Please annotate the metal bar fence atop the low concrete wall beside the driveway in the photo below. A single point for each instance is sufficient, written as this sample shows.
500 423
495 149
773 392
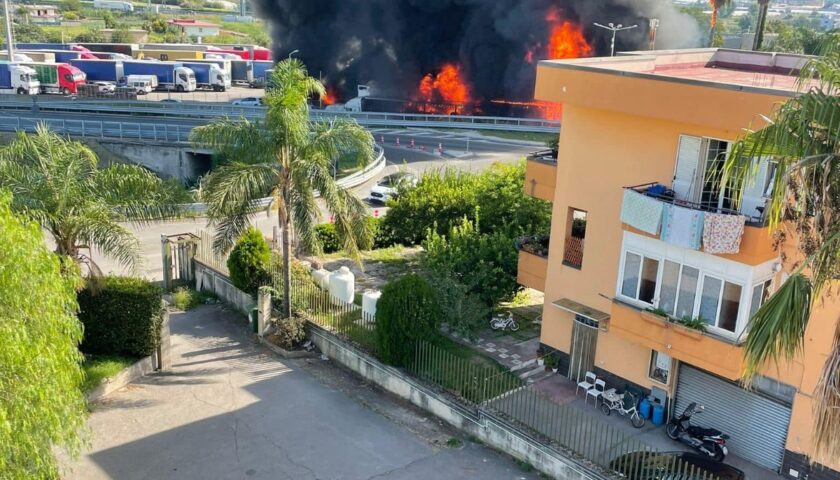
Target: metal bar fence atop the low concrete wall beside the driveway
494 390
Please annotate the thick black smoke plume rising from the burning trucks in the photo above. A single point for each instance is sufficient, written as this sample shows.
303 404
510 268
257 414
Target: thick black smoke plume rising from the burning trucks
391 44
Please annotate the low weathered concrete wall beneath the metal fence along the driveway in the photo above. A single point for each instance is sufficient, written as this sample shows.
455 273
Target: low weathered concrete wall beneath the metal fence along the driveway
484 426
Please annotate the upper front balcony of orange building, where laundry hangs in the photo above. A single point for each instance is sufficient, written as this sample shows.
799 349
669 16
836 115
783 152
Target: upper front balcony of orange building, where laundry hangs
756 243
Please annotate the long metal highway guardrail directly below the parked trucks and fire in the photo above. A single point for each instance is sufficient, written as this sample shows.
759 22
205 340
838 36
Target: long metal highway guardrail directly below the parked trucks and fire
214 110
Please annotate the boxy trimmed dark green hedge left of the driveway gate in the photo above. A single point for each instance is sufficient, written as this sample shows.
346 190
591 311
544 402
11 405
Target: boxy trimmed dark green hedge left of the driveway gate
121 316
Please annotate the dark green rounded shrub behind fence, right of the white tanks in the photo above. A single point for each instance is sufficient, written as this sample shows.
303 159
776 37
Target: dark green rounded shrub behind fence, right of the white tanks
408 311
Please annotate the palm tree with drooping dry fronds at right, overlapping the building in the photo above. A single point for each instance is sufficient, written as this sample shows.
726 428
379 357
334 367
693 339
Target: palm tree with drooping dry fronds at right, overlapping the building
803 136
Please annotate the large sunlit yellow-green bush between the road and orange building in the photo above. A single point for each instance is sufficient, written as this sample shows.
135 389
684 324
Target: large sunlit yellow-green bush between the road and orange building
443 198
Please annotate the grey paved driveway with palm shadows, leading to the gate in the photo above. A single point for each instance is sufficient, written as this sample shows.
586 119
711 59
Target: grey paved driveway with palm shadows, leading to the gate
230 410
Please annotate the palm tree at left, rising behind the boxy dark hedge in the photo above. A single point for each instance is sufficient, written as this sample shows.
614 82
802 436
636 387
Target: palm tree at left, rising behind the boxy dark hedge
57 183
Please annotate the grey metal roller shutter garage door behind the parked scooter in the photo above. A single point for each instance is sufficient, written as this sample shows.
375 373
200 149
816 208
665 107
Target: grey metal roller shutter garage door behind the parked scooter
757 425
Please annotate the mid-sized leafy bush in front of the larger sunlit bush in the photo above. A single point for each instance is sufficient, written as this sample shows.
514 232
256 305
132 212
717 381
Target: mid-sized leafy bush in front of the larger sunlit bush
486 264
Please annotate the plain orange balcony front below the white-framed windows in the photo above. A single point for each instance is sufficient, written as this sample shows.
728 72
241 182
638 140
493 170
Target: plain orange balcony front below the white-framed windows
711 353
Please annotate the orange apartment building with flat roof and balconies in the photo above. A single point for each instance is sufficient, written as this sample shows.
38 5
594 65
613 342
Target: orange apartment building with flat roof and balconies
643 135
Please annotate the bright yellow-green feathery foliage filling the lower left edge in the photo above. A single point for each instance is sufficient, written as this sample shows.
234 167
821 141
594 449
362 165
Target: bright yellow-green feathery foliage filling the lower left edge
41 403
